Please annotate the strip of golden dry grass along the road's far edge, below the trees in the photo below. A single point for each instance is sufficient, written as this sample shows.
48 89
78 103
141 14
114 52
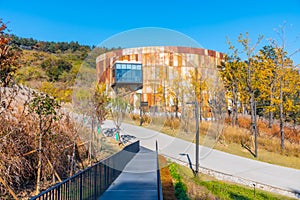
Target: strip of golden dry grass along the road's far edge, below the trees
231 139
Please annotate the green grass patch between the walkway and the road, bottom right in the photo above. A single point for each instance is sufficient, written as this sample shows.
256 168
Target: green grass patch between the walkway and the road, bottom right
187 186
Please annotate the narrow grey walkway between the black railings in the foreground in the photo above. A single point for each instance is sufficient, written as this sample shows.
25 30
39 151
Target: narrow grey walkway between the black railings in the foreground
138 180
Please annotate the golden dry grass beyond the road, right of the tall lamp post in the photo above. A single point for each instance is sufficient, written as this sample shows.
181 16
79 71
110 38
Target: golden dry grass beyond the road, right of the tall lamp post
233 139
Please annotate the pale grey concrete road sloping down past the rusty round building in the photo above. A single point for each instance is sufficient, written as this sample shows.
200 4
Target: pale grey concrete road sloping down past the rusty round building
259 172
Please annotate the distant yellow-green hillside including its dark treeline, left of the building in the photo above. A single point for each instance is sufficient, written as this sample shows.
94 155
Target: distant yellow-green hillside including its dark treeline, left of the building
51 67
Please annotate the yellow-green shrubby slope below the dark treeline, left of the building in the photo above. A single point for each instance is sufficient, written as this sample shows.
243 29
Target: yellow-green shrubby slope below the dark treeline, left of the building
49 72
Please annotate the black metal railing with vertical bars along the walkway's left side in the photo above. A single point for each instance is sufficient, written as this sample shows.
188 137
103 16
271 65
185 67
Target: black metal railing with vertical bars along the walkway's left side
92 182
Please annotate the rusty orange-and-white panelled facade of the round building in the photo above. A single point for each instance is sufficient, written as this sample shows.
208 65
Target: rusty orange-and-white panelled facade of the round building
161 64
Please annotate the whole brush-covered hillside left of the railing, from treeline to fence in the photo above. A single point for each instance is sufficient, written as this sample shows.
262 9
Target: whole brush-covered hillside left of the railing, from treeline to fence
39 137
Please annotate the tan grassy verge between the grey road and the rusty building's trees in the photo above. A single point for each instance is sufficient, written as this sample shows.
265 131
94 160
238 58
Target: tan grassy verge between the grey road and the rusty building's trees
230 139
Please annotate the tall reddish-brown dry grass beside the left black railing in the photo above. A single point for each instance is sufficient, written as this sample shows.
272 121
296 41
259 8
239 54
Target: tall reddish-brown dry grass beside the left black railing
19 132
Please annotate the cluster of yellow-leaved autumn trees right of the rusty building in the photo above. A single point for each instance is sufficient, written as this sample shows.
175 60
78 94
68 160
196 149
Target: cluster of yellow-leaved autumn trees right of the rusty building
266 82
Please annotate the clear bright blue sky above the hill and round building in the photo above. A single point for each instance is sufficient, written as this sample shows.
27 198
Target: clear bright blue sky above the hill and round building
207 22
